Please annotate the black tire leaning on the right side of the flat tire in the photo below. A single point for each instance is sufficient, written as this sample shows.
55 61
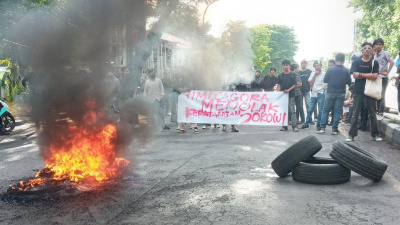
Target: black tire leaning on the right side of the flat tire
358 160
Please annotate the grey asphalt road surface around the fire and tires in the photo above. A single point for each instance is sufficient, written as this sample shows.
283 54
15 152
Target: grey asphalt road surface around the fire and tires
209 178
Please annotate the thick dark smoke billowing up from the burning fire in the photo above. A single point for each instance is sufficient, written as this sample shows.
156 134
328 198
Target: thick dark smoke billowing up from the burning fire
69 51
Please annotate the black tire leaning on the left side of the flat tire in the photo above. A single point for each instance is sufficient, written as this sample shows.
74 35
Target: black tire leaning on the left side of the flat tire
303 149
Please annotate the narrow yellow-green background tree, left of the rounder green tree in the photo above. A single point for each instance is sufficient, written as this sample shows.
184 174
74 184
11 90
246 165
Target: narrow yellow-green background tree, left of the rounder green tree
261 35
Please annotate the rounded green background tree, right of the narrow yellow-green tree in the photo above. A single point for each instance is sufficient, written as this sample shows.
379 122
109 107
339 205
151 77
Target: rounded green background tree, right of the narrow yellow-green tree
283 45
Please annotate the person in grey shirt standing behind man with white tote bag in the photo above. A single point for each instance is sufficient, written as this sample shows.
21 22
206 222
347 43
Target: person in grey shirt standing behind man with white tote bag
386 63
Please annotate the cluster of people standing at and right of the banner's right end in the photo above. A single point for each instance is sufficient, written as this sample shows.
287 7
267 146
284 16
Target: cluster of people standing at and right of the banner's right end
332 93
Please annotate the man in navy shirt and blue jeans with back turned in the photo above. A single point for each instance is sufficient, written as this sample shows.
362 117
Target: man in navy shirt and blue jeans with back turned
336 77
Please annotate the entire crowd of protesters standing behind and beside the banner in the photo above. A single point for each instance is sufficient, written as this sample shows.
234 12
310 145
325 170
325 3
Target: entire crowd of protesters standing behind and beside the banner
316 97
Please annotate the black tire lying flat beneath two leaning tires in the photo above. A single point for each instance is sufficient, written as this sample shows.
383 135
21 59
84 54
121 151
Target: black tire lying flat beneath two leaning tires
318 170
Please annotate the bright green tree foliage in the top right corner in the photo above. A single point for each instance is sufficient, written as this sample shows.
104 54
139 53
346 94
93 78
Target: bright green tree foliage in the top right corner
381 18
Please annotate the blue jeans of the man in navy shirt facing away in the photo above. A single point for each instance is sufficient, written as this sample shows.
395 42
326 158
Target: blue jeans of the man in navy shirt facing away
333 101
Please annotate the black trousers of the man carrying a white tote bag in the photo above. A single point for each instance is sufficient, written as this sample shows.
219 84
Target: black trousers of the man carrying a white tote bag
357 102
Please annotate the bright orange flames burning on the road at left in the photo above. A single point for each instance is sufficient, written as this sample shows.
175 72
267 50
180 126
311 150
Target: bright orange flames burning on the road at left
87 152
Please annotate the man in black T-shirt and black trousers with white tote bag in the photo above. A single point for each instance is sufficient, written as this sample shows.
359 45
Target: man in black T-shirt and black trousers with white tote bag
363 69
